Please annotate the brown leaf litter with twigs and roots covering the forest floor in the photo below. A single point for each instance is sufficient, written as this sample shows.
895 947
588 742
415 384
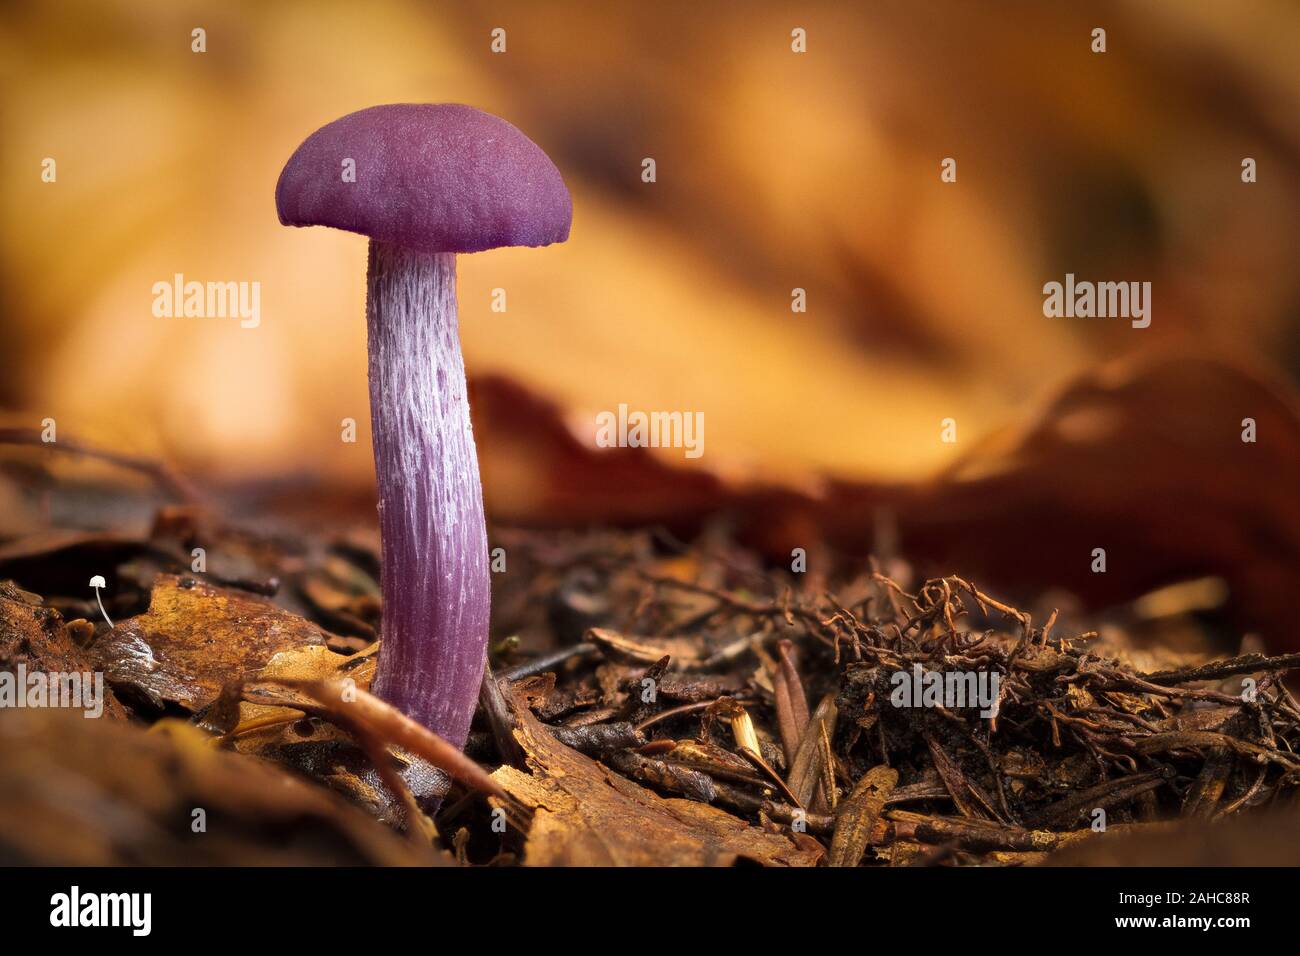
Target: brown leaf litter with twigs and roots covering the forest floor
651 703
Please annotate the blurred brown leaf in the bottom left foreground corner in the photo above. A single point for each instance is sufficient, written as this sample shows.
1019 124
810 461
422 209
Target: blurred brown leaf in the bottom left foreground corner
80 793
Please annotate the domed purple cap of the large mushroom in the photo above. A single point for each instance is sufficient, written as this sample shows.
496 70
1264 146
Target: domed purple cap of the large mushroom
430 178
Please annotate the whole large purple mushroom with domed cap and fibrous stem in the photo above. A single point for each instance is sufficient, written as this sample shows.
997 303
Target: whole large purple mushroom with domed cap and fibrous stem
426 183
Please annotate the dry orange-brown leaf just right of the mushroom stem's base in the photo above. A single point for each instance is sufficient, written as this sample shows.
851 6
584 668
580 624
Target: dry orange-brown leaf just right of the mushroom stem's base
588 816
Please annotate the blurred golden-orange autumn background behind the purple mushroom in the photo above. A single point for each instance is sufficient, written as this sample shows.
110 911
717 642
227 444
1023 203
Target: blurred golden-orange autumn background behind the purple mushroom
774 171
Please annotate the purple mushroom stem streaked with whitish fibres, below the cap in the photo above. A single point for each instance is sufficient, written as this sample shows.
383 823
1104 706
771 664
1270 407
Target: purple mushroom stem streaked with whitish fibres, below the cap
435 564
